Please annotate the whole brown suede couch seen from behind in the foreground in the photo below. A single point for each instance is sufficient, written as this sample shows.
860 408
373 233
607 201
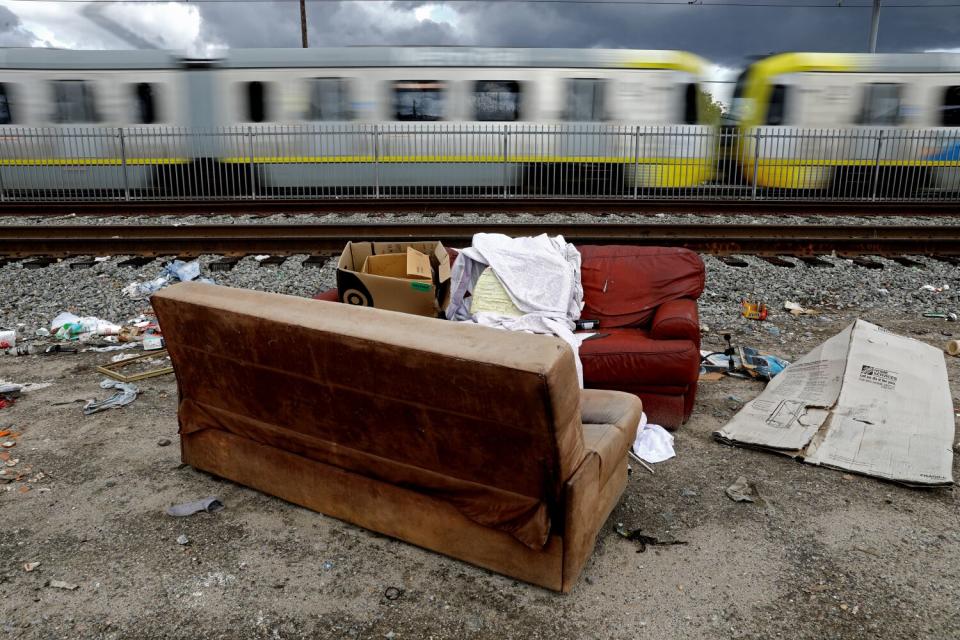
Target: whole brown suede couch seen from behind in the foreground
469 441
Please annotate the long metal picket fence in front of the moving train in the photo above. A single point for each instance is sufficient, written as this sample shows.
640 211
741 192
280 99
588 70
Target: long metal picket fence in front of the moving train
478 160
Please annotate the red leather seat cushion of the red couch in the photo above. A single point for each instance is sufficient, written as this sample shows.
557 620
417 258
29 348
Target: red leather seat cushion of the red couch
631 357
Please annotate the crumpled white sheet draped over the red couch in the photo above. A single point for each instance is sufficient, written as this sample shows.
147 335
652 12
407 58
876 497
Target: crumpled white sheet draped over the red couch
540 274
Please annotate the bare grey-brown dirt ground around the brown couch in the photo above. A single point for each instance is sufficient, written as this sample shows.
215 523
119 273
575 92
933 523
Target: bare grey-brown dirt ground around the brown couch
821 555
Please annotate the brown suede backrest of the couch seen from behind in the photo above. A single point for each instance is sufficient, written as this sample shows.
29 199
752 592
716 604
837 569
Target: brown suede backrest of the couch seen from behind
446 407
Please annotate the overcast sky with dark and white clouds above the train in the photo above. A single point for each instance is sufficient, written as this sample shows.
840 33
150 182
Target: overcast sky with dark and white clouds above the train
727 35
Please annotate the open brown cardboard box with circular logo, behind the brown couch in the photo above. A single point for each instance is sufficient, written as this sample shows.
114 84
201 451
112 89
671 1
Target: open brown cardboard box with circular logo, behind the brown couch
386 275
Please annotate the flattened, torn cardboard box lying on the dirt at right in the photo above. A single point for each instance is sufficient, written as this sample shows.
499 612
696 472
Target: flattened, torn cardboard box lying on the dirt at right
866 400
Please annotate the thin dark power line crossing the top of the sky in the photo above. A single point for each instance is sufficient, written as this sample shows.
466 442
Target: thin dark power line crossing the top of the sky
664 3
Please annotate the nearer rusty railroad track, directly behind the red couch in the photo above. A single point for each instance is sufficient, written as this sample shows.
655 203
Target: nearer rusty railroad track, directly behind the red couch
325 239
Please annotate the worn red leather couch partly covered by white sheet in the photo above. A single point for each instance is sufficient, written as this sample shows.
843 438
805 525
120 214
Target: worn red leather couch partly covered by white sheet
648 343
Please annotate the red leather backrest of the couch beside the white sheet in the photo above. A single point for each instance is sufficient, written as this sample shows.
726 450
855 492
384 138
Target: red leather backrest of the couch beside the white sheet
624 285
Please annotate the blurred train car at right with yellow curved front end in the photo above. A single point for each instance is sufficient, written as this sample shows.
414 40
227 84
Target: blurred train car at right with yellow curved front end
854 124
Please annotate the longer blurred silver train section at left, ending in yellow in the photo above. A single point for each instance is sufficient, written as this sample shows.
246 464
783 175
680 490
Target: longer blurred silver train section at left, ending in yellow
301 121
